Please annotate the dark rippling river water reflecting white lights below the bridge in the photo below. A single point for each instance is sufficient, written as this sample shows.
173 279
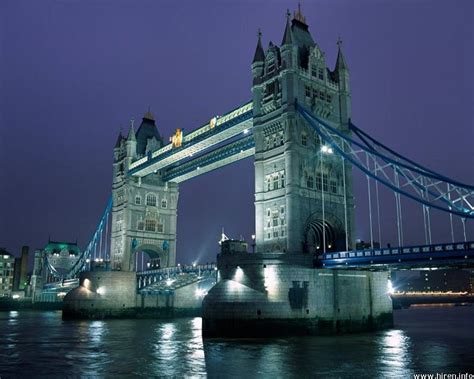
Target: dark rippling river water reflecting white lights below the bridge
424 340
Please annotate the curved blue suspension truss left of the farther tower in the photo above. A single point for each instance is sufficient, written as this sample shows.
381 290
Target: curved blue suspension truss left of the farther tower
86 254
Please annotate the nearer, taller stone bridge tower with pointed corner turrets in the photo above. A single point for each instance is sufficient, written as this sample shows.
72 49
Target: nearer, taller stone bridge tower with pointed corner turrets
303 194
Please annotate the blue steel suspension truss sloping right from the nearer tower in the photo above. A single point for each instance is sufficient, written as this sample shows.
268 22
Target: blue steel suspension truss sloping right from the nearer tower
399 174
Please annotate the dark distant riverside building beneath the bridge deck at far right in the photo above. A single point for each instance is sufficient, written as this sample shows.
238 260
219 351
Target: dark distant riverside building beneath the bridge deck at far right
450 280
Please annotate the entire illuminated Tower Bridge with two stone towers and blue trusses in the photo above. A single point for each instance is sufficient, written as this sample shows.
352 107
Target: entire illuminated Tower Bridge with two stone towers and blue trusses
306 150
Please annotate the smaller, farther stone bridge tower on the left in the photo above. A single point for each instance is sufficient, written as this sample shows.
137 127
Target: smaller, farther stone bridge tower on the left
144 211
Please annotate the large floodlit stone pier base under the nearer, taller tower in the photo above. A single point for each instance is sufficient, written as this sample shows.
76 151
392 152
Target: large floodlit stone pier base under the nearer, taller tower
282 294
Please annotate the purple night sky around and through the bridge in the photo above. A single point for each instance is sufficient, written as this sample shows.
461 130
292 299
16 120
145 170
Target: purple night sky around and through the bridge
72 72
